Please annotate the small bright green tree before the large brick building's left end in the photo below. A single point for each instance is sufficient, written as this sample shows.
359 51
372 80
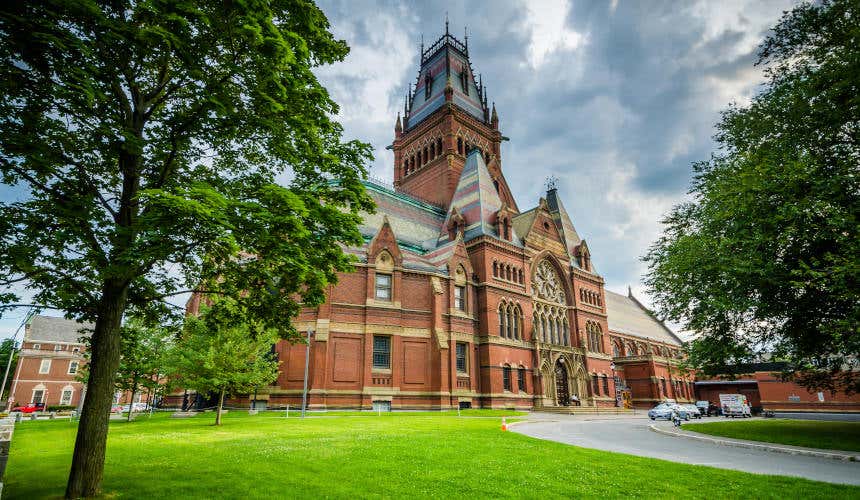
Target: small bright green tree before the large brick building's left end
220 351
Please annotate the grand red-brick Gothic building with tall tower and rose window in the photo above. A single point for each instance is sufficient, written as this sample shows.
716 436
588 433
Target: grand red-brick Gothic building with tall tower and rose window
461 298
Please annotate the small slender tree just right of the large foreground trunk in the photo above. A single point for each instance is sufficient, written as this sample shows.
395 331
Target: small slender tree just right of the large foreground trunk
141 363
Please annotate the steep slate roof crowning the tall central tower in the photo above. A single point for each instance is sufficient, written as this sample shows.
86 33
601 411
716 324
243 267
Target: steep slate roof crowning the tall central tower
446 60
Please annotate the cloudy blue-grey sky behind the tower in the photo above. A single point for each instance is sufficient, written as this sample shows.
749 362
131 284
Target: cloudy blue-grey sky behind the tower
614 98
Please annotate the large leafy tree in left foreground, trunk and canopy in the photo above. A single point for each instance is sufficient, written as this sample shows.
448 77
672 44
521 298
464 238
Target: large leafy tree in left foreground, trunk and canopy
149 136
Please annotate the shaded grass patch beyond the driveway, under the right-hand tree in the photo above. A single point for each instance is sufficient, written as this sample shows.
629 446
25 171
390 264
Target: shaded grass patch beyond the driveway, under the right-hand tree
809 433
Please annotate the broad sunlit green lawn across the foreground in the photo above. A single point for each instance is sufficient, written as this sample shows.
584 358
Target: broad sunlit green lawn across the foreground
403 455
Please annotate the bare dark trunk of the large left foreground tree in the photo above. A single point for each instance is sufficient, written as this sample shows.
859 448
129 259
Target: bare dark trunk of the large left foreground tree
88 460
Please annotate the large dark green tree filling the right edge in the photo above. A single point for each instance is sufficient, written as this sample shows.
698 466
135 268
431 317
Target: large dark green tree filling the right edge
764 259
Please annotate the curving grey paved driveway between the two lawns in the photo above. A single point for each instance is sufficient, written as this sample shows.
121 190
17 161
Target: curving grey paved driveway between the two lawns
631 435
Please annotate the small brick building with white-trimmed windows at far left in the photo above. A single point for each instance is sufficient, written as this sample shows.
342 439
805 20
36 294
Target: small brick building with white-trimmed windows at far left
50 358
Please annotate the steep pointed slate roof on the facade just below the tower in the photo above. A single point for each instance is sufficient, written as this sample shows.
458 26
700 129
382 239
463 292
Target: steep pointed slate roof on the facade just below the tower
476 200
